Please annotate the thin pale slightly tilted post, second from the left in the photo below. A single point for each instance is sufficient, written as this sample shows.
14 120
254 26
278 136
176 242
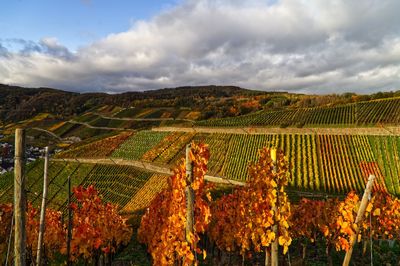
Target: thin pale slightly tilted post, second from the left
43 208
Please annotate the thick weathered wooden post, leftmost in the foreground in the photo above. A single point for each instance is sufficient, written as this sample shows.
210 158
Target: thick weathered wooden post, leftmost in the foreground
19 199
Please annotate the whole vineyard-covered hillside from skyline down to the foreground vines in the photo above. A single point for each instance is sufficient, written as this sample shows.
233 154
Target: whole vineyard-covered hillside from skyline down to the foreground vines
126 144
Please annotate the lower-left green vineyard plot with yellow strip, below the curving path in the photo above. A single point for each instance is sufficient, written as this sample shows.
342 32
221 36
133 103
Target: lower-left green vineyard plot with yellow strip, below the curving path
131 189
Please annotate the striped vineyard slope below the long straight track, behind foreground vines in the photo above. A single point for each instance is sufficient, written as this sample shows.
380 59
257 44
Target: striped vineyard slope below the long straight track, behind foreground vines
317 162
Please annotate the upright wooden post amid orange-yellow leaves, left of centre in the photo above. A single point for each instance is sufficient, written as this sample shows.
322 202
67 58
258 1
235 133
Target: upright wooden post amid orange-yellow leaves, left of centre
189 194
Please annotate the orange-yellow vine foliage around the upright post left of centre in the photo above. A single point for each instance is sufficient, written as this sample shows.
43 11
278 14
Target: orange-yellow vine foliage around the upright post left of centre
162 227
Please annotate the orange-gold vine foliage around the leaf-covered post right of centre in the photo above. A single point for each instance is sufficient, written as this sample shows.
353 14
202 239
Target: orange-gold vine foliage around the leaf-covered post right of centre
243 220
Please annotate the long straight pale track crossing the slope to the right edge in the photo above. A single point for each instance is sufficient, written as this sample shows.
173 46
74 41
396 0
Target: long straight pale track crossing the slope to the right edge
378 131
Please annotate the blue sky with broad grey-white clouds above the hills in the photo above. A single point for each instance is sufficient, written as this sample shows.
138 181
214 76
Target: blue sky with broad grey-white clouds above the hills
314 46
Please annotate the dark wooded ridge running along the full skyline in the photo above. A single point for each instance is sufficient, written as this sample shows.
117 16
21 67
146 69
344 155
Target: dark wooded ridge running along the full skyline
18 103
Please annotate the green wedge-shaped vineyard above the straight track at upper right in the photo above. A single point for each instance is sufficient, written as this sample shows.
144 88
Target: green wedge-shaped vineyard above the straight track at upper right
385 111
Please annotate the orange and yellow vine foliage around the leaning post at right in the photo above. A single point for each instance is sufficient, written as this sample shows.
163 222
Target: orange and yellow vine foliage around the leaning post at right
333 220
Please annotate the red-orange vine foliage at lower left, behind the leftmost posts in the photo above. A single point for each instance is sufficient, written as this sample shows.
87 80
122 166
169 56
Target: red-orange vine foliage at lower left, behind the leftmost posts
97 228
